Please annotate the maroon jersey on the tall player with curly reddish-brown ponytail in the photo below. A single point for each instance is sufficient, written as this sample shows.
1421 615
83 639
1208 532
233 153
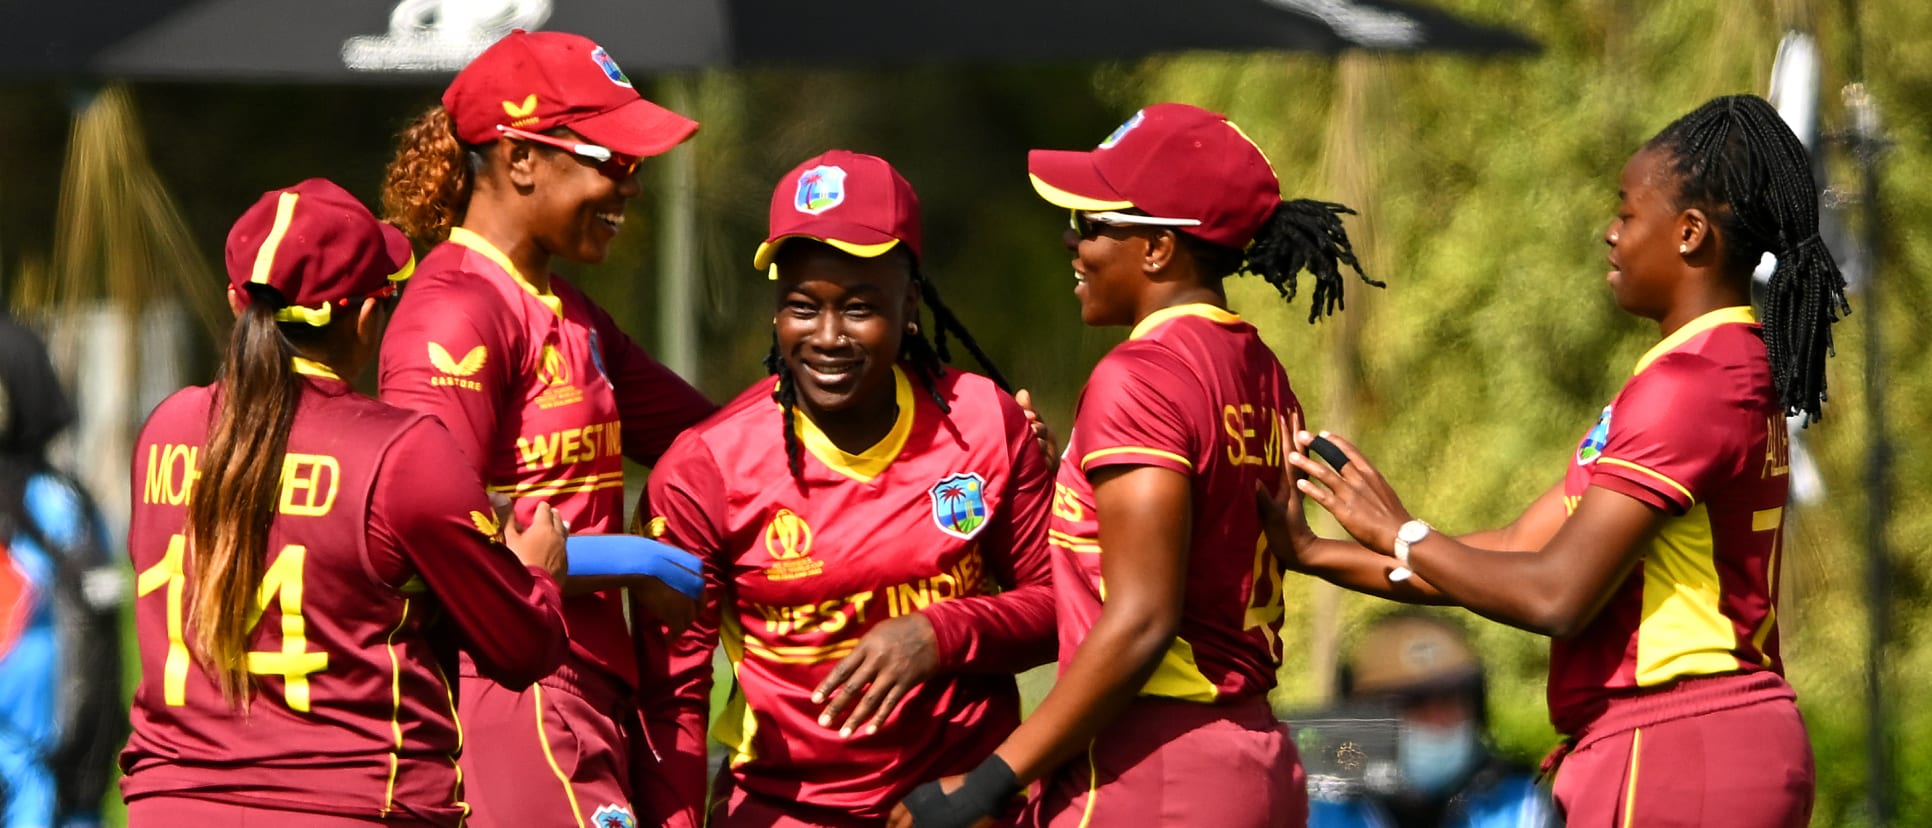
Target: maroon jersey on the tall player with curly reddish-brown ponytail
544 395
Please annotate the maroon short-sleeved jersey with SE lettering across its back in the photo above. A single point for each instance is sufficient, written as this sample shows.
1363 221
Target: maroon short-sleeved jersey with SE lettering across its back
1199 393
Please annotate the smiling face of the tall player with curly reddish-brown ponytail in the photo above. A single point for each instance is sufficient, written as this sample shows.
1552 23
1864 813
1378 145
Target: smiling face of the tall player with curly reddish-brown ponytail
579 209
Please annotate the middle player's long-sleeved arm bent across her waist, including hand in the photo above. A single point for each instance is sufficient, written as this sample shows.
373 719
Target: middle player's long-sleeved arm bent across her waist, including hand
998 634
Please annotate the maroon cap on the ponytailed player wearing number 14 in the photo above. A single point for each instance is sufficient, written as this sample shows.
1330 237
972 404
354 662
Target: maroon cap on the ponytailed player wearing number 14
318 246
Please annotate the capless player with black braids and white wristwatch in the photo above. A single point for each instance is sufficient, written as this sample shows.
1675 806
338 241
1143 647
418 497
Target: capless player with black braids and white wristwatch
1655 563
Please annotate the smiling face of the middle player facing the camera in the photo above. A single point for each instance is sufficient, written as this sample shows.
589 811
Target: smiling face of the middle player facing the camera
841 321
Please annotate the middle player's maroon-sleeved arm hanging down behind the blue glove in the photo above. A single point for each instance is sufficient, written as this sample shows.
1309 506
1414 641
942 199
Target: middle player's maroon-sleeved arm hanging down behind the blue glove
687 501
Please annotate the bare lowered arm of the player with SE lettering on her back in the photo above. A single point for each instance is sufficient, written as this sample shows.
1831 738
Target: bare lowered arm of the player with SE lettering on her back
1145 526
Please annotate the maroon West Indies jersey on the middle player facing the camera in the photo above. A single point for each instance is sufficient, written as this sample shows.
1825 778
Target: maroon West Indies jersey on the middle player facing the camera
946 516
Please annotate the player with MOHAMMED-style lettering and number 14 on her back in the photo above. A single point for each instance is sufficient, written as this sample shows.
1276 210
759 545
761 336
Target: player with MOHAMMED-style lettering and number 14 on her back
310 561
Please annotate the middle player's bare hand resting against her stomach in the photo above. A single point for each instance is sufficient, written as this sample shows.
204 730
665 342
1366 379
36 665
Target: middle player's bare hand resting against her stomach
867 686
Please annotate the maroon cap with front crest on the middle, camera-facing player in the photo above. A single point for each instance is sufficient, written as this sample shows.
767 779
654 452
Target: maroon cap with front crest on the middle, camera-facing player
845 200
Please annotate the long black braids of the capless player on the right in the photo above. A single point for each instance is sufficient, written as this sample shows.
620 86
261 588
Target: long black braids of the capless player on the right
1740 163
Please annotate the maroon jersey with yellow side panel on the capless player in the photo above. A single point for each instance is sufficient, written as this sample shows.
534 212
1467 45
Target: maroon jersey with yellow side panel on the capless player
1697 433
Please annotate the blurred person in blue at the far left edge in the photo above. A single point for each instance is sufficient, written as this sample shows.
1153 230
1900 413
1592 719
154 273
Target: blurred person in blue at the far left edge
61 711
